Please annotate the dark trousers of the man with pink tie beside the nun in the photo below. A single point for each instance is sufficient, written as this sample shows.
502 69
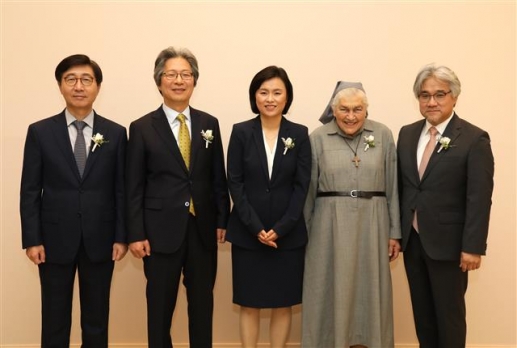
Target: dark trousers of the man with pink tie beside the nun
438 297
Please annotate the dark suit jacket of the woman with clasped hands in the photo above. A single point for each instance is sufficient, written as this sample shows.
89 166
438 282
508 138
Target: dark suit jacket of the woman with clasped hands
261 203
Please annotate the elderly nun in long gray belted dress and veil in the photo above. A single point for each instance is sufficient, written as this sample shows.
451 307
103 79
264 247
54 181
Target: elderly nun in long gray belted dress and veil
352 215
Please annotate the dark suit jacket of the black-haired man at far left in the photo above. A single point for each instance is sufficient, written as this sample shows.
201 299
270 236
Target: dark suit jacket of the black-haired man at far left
58 208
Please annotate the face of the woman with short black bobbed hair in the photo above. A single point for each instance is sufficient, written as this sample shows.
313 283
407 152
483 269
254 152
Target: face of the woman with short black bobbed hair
271 97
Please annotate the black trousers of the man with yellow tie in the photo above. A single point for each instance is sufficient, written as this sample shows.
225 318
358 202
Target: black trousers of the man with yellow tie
163 273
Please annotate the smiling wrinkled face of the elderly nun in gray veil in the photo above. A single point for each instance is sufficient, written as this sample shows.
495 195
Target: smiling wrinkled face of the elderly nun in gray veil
350 114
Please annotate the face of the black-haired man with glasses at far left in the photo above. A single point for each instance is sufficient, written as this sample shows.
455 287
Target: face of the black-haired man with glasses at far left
79 88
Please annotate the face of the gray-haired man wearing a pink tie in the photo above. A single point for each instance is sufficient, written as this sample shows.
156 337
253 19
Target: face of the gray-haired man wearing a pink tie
434 105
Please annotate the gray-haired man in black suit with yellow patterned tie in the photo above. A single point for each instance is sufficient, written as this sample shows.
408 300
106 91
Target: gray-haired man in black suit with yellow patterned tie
177 201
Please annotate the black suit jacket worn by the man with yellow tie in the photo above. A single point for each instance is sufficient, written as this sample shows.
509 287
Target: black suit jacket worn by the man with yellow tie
159 185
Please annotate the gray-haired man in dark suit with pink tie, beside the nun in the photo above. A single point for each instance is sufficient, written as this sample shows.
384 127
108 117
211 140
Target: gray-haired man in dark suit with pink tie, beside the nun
446 170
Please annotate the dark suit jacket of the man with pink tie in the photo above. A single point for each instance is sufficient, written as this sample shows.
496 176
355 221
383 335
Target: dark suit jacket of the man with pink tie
453 199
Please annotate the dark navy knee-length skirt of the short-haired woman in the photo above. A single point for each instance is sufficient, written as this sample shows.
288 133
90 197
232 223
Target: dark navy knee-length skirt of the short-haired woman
267 278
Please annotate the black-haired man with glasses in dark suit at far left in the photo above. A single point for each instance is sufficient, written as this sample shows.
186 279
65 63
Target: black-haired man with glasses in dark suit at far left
72 206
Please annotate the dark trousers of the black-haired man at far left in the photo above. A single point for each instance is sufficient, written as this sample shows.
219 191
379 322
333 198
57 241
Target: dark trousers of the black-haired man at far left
57 287
